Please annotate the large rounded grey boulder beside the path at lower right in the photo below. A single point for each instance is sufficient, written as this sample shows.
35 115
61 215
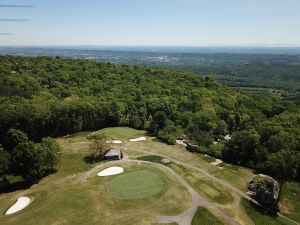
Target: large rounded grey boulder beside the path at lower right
264 189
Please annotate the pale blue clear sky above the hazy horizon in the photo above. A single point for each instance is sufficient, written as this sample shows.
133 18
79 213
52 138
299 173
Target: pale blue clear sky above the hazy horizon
151 23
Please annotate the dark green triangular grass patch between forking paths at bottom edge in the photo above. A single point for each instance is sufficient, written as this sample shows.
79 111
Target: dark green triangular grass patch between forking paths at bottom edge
204 217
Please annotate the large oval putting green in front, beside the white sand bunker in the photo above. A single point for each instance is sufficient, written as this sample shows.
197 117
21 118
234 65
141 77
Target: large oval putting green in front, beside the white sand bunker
136 184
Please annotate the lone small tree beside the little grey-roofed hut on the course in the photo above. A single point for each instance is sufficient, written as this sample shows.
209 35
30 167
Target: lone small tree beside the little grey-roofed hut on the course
99 146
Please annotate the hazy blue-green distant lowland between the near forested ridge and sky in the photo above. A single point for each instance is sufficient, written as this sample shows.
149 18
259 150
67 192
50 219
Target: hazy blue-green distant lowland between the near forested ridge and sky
262 71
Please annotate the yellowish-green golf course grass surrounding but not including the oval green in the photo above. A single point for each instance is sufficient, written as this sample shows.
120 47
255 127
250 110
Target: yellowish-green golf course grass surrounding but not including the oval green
60 199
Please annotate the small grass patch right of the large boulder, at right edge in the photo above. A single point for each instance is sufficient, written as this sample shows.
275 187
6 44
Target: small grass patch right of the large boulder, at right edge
289 202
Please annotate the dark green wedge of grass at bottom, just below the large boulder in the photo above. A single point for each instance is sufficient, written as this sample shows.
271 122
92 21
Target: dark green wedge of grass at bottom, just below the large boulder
260 216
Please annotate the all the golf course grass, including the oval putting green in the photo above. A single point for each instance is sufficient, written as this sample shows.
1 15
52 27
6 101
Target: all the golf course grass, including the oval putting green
139 195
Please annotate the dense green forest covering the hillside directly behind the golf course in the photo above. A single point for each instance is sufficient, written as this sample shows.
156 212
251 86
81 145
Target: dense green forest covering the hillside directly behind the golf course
47 96
